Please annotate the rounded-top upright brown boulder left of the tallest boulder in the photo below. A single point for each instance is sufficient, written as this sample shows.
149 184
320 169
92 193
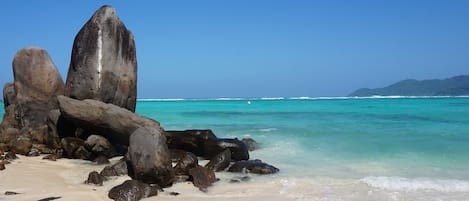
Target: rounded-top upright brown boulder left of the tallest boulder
37 84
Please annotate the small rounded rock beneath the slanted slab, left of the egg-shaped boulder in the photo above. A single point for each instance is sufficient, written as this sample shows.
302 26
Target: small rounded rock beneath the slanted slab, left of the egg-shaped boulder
100 146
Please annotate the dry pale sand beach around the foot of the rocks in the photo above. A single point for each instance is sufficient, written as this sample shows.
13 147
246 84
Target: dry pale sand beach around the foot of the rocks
34 179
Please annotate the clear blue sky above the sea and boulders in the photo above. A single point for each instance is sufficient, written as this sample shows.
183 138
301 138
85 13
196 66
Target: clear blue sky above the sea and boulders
258 48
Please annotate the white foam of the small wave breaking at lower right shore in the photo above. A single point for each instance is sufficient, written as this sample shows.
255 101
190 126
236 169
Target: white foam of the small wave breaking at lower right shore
417 184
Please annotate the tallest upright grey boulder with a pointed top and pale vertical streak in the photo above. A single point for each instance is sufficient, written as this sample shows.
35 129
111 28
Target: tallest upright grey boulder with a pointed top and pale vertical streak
103 64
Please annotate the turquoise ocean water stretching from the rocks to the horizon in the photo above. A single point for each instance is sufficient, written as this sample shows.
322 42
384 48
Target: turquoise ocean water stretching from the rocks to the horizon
415 148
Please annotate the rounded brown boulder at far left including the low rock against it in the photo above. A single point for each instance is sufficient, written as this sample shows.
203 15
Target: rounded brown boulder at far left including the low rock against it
32 95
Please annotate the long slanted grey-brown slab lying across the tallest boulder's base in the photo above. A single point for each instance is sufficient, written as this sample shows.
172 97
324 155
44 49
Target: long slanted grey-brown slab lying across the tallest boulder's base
114 123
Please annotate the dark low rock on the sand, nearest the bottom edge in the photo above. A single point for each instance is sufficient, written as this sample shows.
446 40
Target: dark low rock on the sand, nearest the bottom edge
132 190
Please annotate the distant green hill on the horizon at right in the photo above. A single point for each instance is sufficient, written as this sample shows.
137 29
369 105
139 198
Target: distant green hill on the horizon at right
455 86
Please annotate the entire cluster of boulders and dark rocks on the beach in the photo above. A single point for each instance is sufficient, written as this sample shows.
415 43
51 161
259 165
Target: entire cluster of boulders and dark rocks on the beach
91 117
